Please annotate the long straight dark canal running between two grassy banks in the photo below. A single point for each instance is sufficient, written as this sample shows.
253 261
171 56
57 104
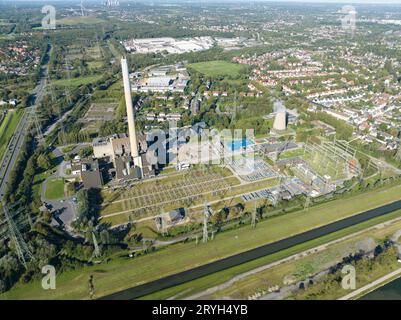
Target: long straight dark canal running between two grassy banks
232 261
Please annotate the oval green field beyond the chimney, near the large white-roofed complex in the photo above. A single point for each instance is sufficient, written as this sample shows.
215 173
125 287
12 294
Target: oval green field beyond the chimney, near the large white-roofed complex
217 68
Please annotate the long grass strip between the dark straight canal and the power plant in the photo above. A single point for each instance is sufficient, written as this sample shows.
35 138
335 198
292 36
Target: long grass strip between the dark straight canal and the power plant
122 272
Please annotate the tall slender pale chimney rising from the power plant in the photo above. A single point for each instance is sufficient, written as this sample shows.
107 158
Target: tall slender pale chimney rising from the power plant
130 109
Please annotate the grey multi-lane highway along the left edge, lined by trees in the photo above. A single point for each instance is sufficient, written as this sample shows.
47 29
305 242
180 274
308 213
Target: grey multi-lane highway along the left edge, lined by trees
15 144
